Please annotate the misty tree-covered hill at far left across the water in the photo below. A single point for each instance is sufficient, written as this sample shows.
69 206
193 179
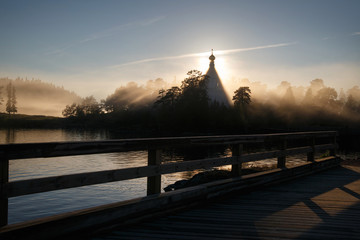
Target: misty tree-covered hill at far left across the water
36 97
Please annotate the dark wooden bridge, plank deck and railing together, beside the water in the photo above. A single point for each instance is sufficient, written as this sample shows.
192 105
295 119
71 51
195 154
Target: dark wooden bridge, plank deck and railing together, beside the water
271 212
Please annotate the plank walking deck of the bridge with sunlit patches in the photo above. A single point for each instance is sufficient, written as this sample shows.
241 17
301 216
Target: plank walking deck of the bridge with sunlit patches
325 205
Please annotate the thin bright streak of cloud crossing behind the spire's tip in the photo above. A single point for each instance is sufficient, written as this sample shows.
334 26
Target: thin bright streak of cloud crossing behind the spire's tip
220 52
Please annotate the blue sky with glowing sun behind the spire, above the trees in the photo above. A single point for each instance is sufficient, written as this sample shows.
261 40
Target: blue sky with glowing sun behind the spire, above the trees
94 47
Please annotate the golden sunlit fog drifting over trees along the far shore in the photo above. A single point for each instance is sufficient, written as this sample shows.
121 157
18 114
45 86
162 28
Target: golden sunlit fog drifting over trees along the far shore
294 105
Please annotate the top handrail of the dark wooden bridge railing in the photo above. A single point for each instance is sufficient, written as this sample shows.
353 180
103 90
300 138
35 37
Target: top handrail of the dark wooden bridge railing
56 149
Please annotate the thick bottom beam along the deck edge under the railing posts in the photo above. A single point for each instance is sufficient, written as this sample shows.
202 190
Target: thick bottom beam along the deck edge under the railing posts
121 213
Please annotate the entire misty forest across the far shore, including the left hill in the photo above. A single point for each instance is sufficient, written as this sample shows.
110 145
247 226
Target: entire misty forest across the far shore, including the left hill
158 108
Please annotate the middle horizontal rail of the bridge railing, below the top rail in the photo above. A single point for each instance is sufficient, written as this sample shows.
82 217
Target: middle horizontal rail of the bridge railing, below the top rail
23 187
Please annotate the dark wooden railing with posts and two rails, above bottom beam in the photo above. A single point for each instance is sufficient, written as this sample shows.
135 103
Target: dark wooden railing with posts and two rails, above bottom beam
155 168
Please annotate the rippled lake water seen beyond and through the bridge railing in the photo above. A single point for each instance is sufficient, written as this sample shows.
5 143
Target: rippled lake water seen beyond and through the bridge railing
33 206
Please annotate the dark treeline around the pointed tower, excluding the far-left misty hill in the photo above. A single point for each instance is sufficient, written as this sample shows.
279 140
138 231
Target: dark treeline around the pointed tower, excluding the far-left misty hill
157 109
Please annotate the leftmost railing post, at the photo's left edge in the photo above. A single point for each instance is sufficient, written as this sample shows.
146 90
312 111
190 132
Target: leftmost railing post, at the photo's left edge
4 179
